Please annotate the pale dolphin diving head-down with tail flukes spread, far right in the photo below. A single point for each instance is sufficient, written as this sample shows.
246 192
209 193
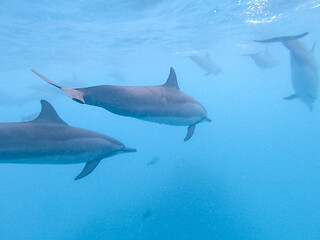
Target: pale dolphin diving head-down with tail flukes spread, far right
304 70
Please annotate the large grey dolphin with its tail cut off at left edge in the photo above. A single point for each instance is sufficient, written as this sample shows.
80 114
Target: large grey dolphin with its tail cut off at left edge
49 140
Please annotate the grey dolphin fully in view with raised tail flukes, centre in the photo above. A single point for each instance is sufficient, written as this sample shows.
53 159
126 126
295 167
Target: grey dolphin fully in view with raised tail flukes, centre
164 104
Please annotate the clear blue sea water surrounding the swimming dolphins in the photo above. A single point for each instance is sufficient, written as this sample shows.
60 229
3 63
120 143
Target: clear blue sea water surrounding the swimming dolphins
253 173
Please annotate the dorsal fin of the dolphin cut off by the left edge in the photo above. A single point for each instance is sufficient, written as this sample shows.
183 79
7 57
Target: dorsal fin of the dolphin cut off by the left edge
48 114
